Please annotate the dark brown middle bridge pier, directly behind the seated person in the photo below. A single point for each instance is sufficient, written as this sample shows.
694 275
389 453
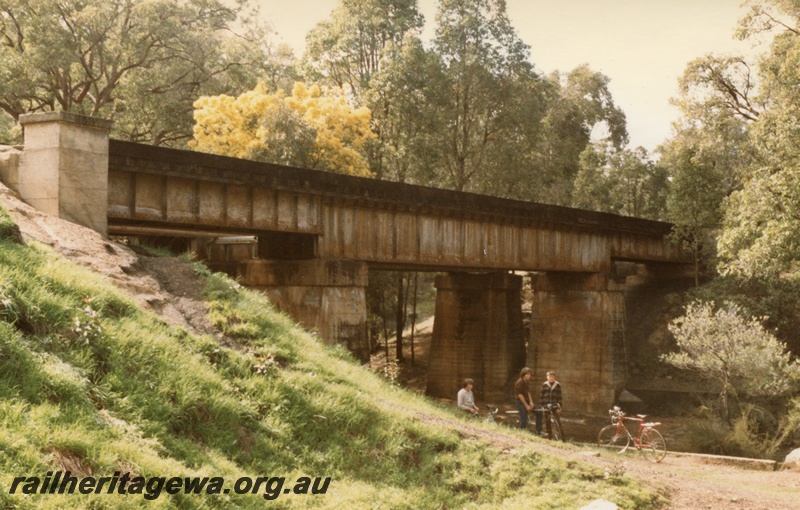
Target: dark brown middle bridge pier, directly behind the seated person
477 333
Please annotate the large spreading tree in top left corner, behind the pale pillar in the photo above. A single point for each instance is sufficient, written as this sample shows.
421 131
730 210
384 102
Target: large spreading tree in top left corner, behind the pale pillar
126 59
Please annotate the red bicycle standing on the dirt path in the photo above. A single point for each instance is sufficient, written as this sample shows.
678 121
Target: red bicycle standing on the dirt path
647 440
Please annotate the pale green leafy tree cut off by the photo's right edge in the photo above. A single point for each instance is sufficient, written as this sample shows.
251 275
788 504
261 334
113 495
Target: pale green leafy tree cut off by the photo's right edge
761 235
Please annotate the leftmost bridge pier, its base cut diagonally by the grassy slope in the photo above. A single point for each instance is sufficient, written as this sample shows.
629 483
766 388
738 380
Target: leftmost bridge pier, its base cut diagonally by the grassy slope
329 296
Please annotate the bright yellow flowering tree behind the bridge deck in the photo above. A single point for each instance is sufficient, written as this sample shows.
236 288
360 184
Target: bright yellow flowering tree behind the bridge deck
313 128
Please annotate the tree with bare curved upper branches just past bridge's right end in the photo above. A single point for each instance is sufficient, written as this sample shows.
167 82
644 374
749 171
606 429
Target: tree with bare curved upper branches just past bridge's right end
711 152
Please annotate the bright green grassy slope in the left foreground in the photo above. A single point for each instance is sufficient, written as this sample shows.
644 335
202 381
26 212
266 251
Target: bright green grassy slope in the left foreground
127 392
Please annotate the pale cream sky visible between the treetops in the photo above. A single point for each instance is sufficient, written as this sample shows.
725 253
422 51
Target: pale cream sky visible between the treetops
643 46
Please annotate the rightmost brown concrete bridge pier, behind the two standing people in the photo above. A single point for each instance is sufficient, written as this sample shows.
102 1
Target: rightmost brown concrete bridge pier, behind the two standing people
578 330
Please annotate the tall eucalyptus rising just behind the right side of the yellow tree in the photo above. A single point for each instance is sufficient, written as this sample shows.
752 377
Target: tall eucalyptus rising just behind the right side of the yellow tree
369 47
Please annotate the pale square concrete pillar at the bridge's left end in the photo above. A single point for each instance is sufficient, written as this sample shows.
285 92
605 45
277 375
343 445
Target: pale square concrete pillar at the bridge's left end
63 170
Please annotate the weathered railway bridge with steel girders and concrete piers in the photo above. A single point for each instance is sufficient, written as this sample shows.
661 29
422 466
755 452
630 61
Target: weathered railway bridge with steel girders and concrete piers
318 234
